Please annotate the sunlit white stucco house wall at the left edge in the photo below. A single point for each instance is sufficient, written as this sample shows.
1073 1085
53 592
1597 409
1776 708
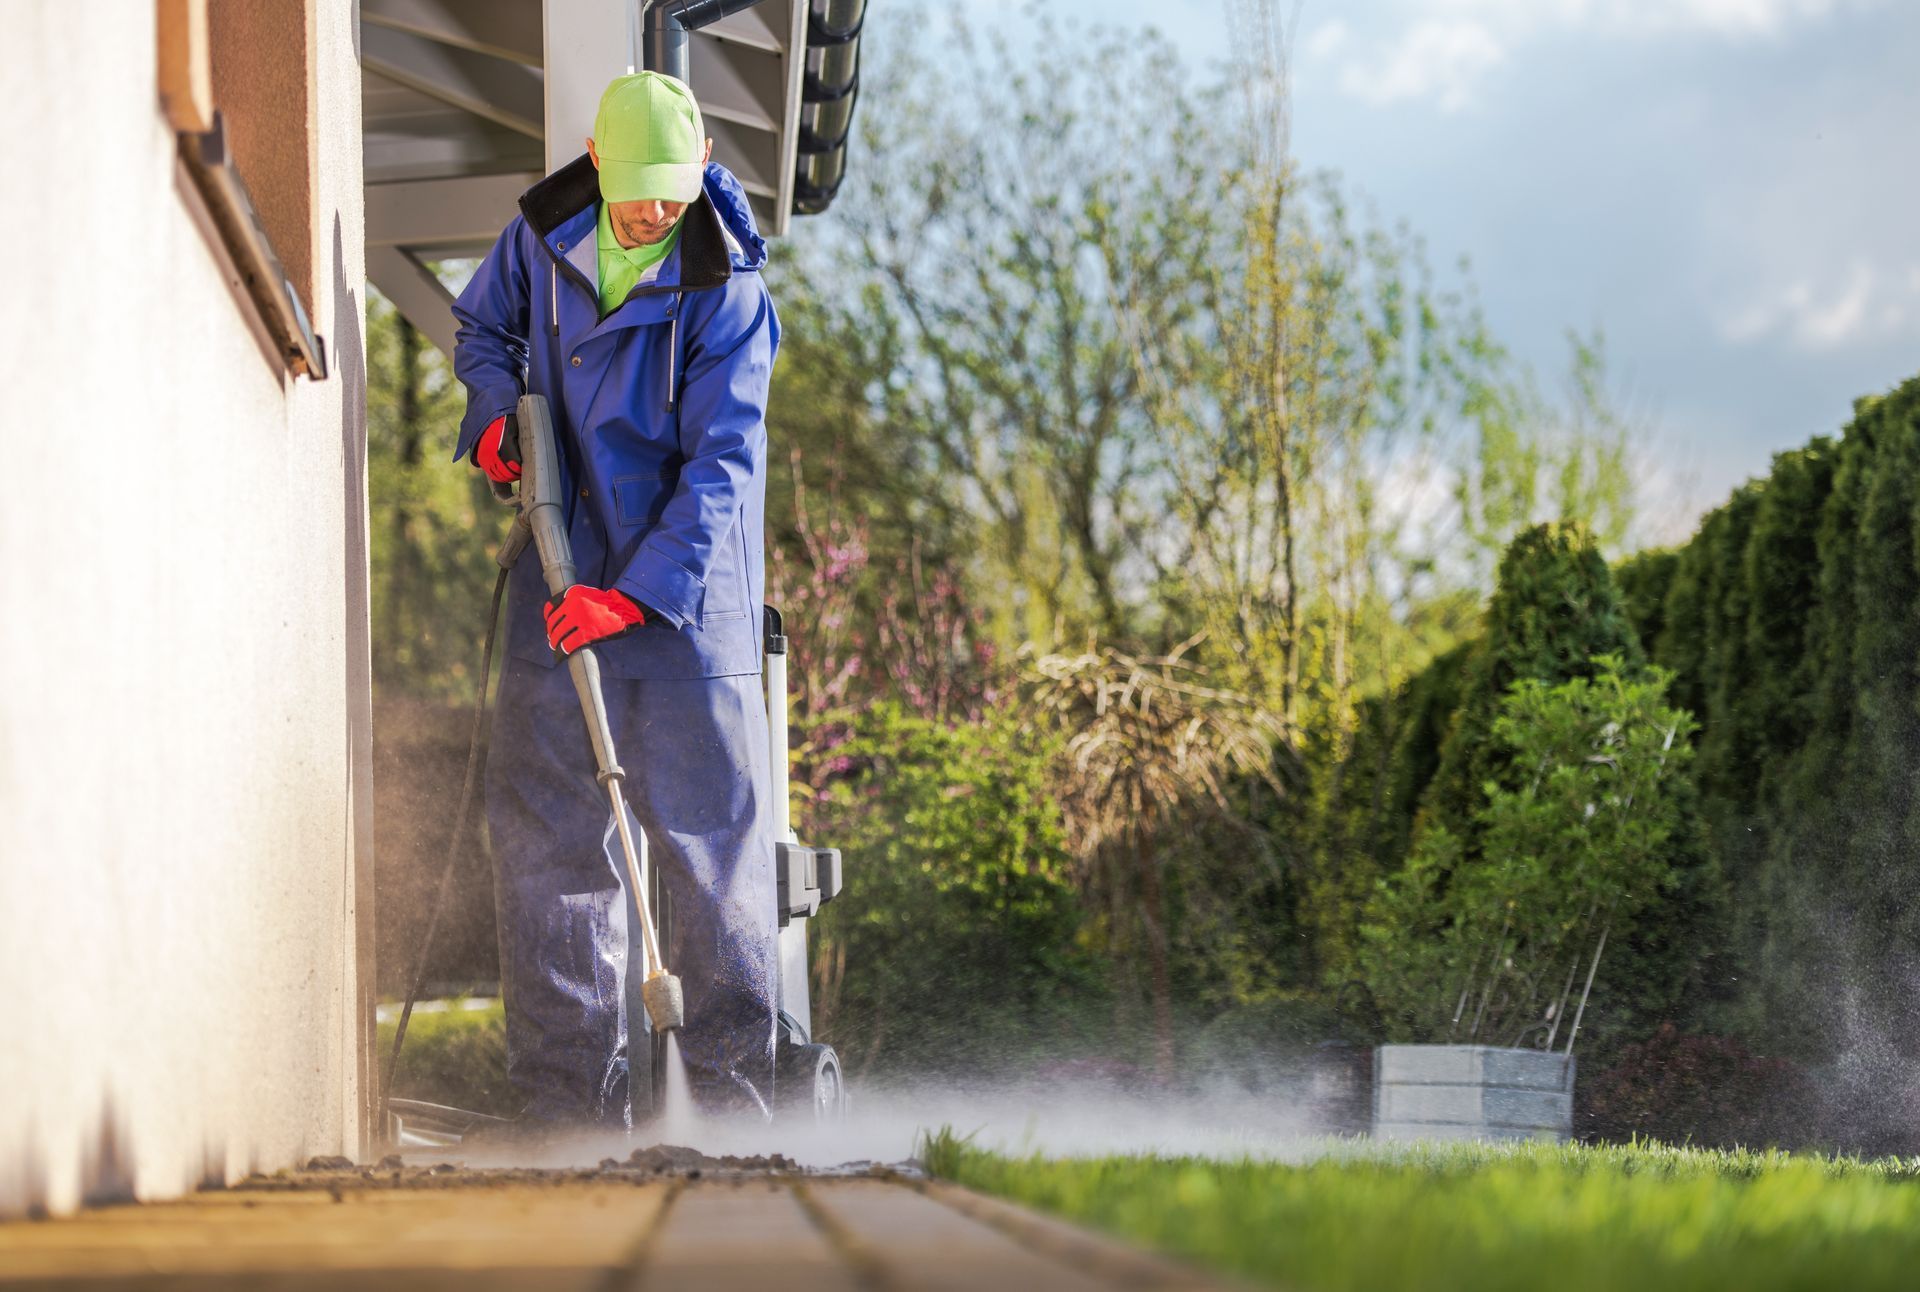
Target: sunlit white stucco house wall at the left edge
183 652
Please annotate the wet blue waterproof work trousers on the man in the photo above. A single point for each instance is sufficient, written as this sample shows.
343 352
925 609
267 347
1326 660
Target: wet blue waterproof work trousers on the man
698 782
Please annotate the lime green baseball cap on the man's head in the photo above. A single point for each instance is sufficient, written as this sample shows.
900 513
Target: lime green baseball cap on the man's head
650 137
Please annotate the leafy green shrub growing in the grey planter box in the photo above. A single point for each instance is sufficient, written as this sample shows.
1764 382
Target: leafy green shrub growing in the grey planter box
1493 949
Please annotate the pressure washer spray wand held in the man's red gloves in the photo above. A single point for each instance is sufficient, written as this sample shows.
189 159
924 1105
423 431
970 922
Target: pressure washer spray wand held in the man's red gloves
546 523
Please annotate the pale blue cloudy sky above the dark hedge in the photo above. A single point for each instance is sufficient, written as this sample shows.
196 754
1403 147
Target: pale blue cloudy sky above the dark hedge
1725 187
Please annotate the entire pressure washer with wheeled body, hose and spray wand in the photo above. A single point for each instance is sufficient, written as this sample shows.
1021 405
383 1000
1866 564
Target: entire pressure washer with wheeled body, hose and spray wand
807 1076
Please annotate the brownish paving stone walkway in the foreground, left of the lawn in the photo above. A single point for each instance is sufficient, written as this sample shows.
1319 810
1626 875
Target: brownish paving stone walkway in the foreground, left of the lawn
479 1232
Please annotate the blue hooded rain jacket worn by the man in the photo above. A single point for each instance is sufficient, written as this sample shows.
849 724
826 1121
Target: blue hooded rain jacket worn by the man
661 416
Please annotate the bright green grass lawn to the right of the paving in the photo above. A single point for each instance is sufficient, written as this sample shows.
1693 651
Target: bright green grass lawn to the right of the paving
1491 1218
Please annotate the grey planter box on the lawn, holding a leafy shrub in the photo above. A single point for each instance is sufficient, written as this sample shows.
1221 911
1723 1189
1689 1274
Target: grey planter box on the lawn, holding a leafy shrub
1472 1093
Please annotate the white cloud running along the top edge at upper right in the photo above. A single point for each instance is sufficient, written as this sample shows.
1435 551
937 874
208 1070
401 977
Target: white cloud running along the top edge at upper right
1441 51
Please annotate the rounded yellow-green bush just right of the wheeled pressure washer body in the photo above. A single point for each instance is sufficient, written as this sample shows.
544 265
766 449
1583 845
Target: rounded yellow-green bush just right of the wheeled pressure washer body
957 945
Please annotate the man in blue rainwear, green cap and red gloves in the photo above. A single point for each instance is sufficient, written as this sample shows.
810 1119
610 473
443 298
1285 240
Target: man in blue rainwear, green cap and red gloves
629 295
